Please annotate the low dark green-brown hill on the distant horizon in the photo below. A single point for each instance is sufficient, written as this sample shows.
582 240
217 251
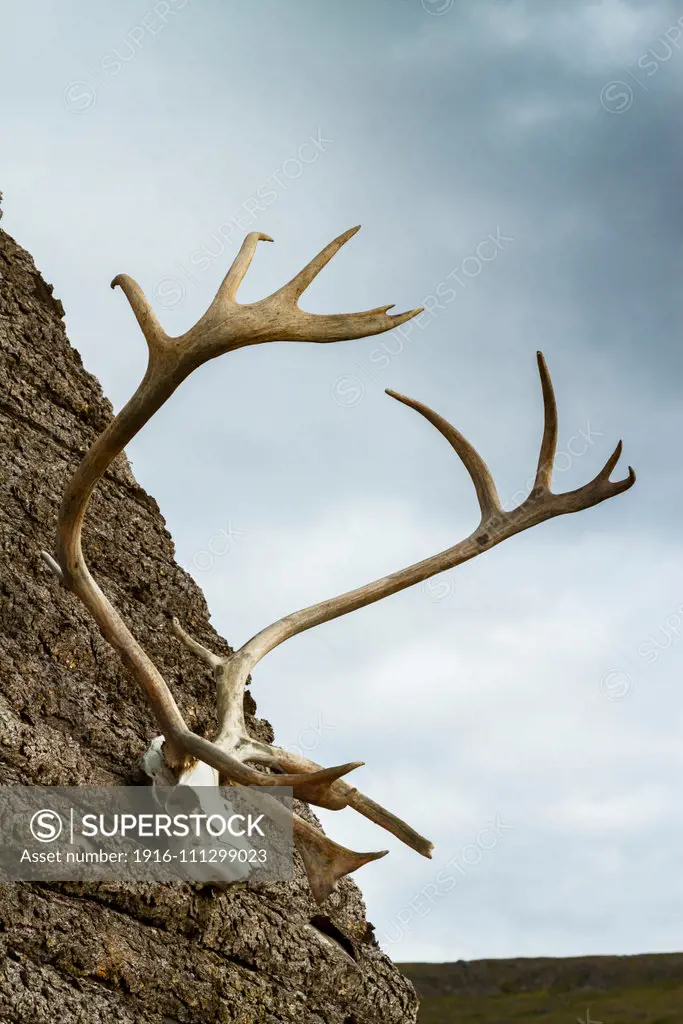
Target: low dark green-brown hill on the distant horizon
646 990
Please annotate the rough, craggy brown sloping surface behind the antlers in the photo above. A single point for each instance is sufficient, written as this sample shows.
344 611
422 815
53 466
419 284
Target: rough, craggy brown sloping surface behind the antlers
70 714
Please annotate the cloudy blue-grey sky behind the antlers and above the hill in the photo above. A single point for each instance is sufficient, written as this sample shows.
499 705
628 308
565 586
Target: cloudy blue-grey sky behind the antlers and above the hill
526 711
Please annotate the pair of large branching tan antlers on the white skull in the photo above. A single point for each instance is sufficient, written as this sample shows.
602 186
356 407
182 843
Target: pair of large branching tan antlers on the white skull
227 326
